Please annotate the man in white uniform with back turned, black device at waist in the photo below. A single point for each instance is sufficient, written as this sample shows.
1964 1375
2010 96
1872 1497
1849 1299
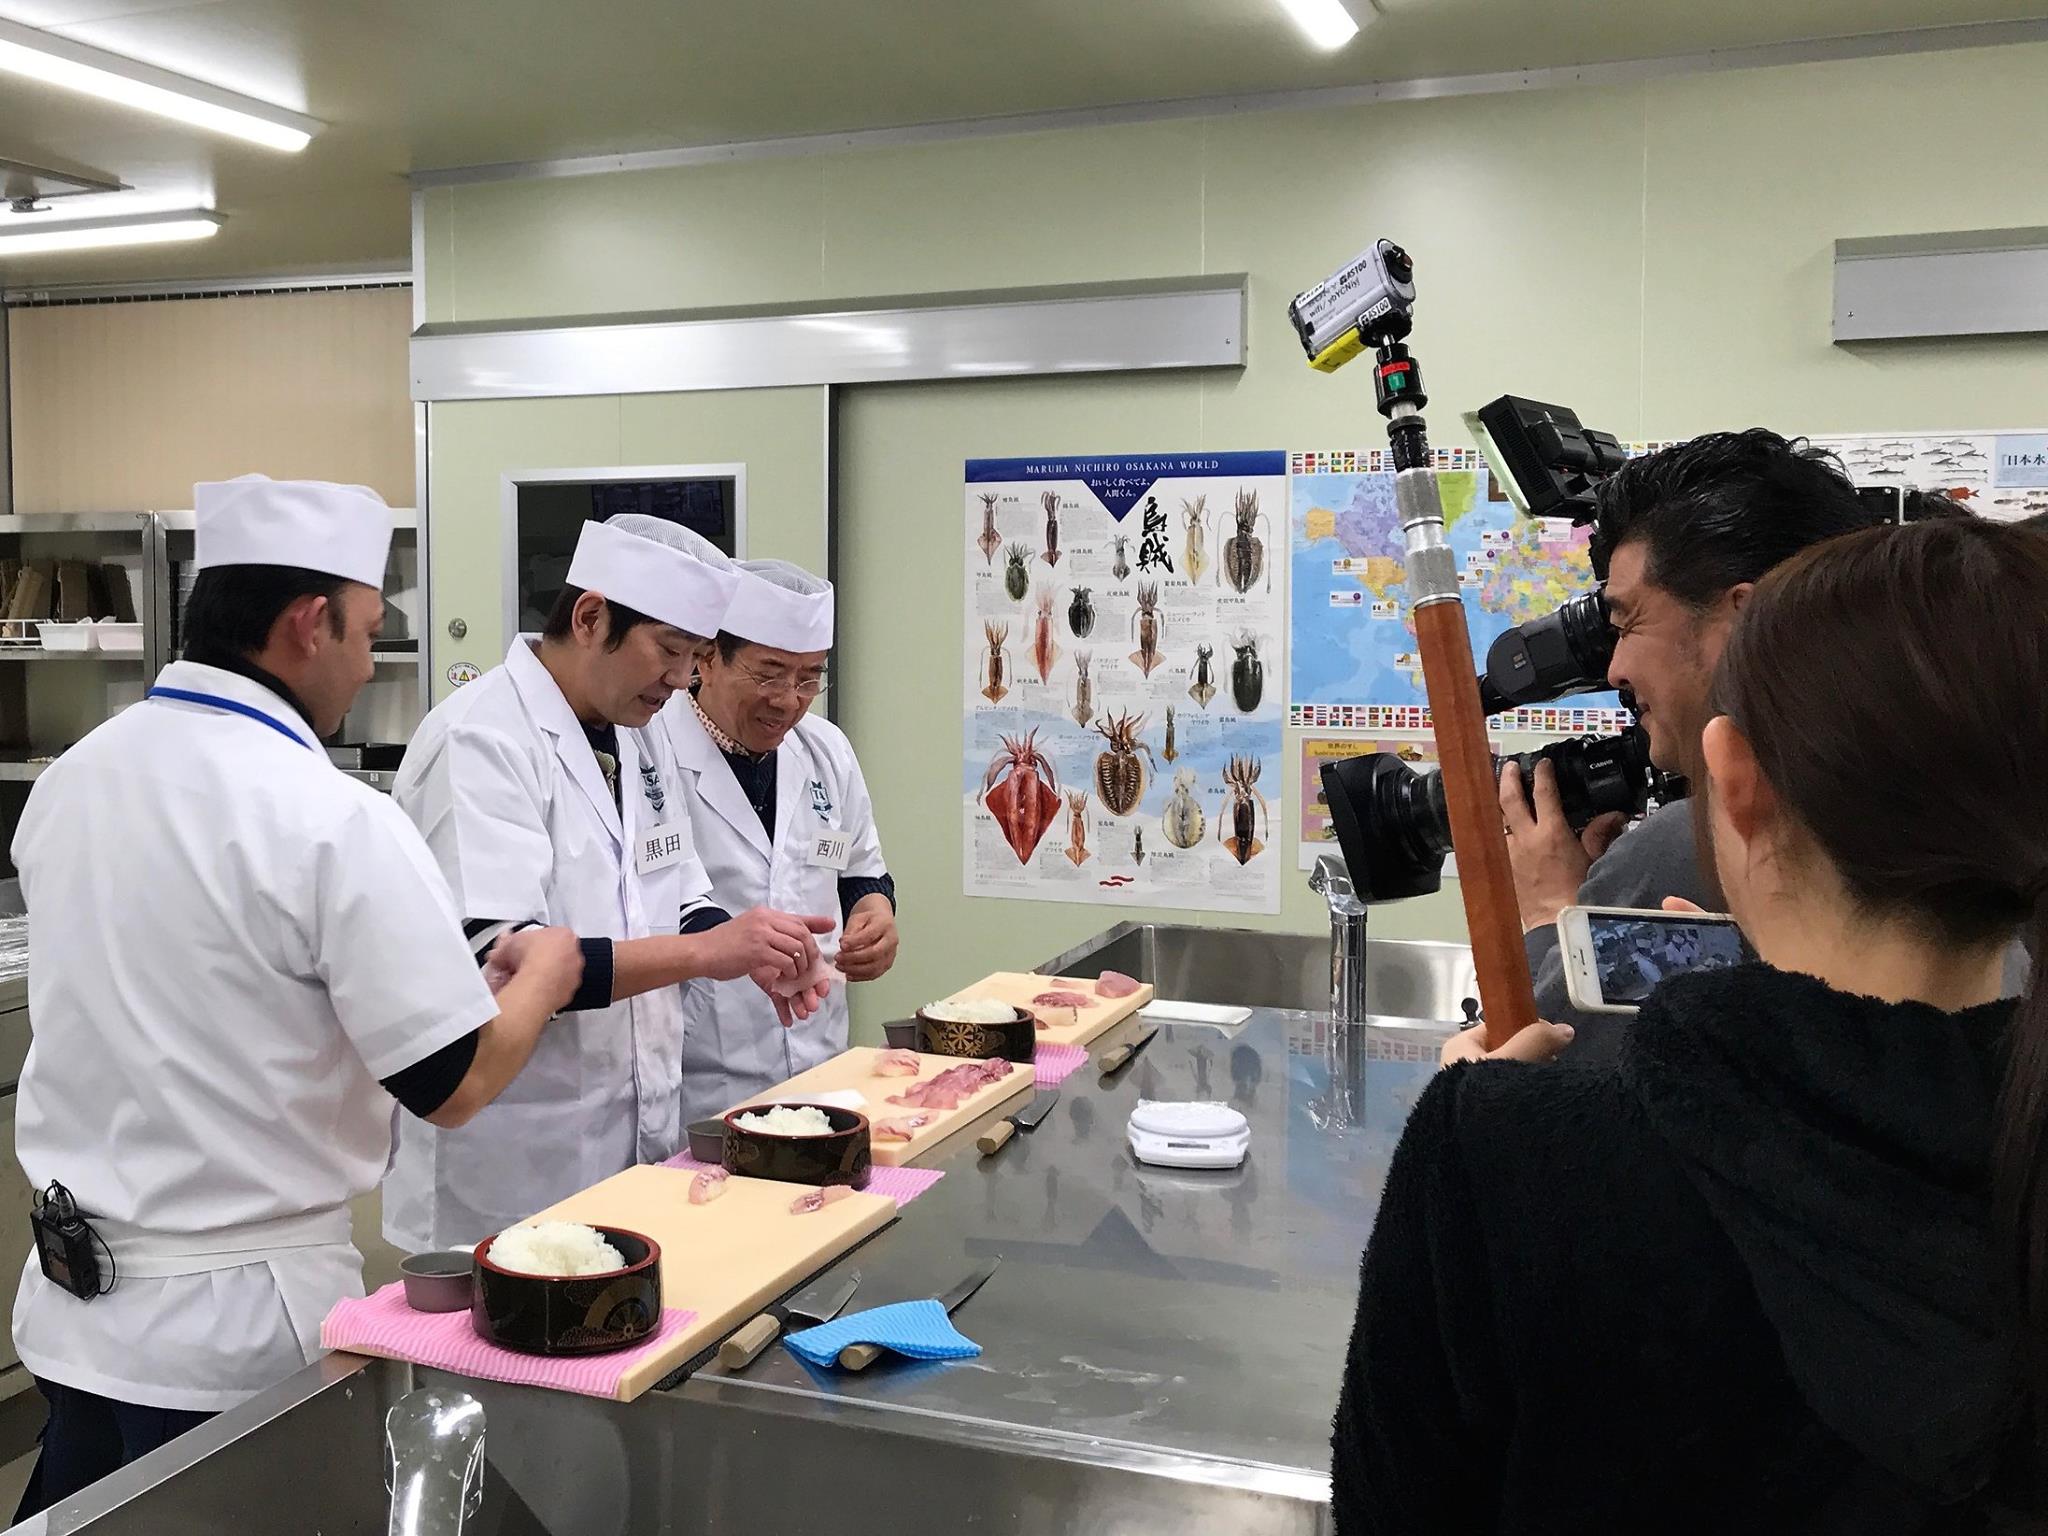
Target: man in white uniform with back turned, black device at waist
237 959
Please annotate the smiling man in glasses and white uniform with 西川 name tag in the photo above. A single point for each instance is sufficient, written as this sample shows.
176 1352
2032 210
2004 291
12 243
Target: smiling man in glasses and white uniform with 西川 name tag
783 818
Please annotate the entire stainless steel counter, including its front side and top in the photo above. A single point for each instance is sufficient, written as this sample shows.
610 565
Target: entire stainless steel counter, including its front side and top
1160 1349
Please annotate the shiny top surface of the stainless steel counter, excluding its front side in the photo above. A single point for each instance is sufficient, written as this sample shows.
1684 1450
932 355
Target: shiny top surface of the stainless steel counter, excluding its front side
1181 1312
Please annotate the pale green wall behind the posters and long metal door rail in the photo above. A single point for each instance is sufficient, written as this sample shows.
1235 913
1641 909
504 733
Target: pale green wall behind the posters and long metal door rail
1656 255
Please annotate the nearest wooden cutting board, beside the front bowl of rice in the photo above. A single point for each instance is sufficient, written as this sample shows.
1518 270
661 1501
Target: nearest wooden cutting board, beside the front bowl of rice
722 1261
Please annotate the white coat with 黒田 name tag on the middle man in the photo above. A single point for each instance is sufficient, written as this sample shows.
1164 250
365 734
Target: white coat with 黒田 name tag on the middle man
503 783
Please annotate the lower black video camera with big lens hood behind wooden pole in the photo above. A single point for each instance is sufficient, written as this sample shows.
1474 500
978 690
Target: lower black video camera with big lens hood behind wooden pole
1394 828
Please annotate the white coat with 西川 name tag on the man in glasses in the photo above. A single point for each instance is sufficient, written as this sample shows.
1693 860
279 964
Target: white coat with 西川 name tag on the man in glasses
732 1041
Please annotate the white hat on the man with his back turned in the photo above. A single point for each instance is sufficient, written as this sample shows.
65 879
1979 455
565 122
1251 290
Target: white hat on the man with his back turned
304 523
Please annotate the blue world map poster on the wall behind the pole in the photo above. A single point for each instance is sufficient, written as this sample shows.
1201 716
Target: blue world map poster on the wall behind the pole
1353 642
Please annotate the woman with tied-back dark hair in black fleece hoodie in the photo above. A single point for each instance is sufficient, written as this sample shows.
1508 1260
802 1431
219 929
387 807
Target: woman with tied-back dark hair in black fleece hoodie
1783 1265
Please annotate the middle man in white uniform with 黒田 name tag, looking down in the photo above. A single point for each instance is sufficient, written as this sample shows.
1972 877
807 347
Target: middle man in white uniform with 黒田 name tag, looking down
548 802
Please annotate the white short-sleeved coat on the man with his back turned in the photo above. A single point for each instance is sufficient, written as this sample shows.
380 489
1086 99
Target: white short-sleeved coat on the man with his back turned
230 943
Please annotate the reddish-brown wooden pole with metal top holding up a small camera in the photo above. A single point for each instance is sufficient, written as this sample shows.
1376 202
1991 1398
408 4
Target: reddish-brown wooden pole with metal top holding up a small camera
1486 878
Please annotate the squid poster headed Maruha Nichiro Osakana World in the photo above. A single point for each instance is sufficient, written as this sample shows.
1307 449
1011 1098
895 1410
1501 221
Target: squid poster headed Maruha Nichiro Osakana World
1125 677
